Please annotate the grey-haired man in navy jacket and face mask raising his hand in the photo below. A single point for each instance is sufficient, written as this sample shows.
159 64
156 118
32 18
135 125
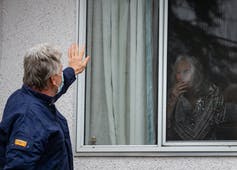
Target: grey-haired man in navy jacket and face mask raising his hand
33 134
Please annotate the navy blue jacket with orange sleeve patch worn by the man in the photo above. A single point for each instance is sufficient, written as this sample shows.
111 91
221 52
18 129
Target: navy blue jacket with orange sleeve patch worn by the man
33 134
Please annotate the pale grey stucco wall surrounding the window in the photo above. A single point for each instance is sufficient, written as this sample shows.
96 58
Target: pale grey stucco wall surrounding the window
24 23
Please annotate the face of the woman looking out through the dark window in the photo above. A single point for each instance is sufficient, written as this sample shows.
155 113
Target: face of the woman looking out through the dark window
184 71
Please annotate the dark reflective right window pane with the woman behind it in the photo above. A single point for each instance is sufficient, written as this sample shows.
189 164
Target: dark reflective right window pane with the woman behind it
201 70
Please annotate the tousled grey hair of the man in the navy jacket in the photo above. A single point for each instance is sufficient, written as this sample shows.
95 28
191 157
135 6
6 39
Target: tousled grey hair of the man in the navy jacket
40 63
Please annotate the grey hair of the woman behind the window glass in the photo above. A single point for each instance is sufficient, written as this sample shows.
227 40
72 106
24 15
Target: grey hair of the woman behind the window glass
198 76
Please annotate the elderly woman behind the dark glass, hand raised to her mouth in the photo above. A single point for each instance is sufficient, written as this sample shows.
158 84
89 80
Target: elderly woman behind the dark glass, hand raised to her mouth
195 105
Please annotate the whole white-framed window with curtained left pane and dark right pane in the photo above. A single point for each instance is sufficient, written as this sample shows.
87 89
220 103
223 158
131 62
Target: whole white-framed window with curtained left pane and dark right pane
161 76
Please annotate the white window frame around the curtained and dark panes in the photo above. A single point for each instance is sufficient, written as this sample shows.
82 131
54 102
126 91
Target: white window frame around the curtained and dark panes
163 148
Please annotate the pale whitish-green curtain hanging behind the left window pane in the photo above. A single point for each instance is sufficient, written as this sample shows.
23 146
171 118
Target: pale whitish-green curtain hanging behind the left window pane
117 96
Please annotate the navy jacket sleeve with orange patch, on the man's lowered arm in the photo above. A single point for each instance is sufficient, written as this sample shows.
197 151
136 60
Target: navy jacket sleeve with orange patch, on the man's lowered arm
25 144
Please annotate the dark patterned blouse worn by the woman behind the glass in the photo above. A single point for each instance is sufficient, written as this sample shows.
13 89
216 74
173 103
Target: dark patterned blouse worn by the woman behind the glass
198 122
